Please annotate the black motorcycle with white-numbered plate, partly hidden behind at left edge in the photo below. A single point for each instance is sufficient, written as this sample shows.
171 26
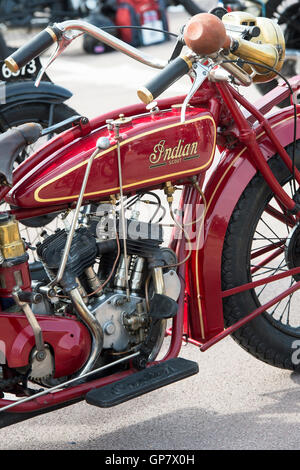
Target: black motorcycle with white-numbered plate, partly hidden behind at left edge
22 102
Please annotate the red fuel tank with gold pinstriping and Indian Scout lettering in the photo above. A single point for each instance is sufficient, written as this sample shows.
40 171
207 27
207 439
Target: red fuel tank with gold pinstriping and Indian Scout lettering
155 147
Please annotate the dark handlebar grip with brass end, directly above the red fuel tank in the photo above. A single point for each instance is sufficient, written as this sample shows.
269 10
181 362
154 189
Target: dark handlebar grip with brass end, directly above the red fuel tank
170 74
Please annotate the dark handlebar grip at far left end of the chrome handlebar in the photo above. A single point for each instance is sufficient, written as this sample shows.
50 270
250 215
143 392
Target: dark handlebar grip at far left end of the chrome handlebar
33 48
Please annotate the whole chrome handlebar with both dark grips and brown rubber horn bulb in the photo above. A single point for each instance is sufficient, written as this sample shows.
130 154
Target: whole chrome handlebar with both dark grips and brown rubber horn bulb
205 34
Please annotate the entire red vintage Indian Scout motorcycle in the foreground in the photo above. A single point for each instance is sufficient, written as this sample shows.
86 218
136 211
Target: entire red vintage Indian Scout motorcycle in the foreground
93 328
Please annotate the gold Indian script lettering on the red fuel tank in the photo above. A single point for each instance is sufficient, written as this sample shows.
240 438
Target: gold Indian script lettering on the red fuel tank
163 155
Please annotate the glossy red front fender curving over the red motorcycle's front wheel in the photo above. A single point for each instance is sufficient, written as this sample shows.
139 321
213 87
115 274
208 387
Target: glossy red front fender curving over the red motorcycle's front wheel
222 192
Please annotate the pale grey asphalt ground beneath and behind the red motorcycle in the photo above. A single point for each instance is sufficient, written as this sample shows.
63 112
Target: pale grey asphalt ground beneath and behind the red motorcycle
235 402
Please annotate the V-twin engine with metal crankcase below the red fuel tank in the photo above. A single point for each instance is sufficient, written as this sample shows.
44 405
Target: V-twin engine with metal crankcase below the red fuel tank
125 321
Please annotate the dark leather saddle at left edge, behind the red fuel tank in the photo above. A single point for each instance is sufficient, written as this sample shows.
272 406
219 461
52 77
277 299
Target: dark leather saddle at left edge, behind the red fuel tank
12 143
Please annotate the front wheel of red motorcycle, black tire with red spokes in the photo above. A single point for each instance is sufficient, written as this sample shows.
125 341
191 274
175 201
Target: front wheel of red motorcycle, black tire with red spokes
269 337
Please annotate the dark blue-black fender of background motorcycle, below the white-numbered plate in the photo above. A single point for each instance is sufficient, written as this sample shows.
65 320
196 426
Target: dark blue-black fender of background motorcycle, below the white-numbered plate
20 92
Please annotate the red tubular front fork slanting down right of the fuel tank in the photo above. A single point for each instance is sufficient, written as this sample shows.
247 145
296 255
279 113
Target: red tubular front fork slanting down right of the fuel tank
248 136
